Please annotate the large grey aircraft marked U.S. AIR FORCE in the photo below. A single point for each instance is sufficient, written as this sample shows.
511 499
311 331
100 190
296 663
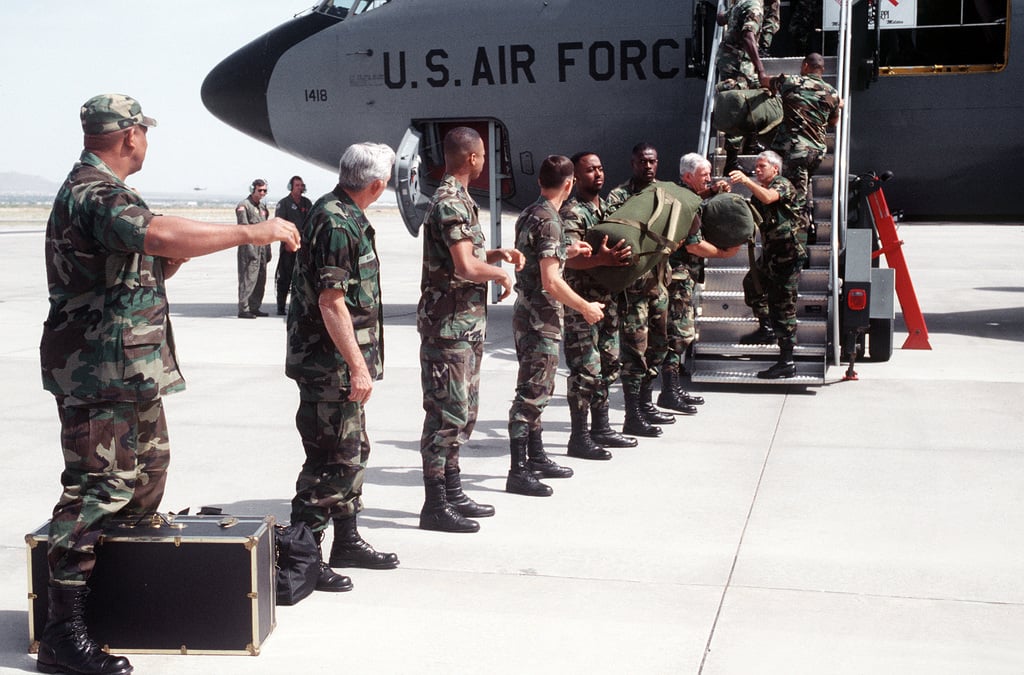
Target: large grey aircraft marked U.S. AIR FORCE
938 99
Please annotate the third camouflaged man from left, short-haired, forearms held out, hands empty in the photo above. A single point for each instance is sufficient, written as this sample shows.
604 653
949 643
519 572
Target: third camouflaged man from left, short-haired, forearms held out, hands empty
452 322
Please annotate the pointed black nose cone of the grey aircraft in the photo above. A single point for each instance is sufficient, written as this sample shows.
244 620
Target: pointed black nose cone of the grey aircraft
235 92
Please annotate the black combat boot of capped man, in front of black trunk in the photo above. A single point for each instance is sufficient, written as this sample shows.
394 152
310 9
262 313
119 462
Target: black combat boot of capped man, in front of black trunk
65 646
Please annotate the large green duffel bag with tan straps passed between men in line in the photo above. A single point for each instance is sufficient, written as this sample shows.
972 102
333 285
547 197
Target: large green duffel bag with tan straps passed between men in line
654 223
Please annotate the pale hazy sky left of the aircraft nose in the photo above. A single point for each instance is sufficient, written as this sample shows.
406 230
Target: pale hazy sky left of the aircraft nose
57 55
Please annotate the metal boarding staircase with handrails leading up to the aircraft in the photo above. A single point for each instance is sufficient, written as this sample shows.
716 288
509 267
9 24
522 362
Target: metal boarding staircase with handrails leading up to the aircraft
722 317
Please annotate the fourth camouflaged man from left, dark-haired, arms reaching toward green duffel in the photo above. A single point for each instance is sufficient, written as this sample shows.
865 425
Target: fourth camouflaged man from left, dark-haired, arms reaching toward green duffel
537 325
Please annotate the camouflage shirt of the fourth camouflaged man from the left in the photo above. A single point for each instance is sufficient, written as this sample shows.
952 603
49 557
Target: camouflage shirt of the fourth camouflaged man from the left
538 236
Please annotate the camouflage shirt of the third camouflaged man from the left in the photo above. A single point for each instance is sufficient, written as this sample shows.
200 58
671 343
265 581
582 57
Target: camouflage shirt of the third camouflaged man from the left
451 308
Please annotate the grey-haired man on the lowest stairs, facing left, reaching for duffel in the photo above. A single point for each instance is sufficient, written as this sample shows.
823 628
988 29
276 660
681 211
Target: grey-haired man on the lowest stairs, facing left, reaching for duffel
771 288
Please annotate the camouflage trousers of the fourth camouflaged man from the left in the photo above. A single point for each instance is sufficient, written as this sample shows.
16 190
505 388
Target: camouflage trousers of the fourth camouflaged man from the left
538 362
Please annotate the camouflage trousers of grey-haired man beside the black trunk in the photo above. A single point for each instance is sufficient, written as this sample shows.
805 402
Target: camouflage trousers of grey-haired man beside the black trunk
330 484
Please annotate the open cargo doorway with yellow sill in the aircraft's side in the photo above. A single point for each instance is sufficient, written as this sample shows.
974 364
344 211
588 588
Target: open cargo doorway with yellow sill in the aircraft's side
941 36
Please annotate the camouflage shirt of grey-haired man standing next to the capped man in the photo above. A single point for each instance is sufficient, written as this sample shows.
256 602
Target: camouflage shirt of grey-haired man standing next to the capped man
338 252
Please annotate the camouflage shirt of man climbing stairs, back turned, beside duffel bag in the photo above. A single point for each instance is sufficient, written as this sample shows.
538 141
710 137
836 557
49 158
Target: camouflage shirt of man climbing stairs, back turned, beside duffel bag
808 104
